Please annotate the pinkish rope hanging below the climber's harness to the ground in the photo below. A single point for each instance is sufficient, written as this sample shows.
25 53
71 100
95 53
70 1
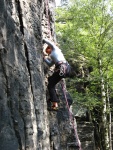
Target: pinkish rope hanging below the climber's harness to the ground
70 114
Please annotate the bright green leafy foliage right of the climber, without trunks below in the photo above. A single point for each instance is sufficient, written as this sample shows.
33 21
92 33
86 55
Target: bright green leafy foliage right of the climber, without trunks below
86 28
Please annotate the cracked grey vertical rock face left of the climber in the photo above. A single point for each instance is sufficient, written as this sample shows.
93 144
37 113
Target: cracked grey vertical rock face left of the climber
23 112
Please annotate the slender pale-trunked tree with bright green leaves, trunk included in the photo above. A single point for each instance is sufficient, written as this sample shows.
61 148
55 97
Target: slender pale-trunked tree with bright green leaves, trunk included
86 28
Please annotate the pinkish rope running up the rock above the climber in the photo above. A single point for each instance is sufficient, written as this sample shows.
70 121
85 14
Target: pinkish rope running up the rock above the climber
48 19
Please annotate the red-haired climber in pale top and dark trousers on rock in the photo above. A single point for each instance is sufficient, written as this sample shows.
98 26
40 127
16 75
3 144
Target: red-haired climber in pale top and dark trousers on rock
62 70
